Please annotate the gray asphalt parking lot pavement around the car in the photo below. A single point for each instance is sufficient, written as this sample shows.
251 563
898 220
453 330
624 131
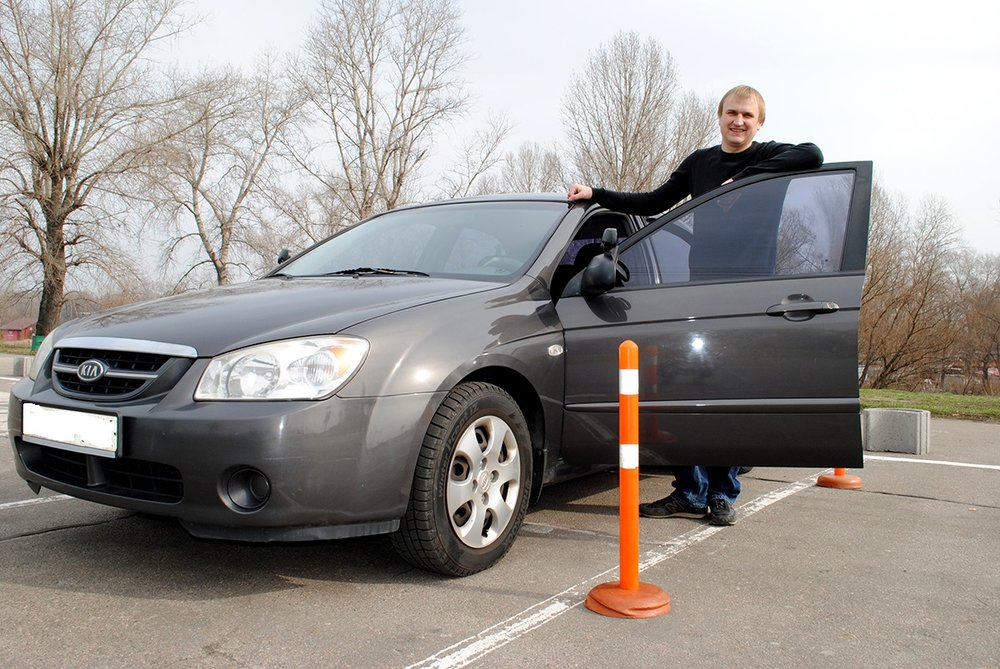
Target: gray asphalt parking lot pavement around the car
902 573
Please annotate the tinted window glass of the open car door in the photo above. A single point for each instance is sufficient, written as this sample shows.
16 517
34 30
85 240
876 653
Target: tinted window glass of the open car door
783 226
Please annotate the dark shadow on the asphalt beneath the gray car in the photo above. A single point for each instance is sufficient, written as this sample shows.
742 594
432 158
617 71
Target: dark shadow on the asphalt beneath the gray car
149 557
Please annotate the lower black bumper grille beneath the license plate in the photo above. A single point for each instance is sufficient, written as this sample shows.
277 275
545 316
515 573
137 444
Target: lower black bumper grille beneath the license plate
123 477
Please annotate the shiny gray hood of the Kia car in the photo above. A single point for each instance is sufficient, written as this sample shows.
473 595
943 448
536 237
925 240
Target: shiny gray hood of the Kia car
221 319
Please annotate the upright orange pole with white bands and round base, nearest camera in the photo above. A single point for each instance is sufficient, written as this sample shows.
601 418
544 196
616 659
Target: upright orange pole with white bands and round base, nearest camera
628 597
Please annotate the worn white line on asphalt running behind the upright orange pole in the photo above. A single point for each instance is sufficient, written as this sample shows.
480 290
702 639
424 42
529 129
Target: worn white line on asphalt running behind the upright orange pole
493 638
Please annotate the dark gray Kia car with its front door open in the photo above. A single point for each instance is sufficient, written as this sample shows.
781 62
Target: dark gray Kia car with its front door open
428 371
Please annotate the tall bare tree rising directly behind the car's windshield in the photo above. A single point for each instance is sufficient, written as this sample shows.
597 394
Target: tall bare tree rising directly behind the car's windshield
383 76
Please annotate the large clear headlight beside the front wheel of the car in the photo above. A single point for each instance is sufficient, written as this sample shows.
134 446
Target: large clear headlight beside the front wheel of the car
296 369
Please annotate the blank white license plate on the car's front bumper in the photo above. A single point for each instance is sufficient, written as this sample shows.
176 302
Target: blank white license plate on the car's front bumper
71 430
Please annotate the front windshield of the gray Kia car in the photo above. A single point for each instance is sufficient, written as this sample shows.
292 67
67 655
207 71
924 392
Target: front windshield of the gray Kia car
485 240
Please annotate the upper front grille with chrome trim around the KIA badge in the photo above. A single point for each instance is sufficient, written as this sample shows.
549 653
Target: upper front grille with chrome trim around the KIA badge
127 375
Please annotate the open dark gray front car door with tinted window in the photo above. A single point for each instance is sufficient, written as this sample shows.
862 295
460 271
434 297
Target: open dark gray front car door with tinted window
744 304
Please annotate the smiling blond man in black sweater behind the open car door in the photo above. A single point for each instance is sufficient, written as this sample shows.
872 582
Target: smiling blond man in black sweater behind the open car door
710 491
